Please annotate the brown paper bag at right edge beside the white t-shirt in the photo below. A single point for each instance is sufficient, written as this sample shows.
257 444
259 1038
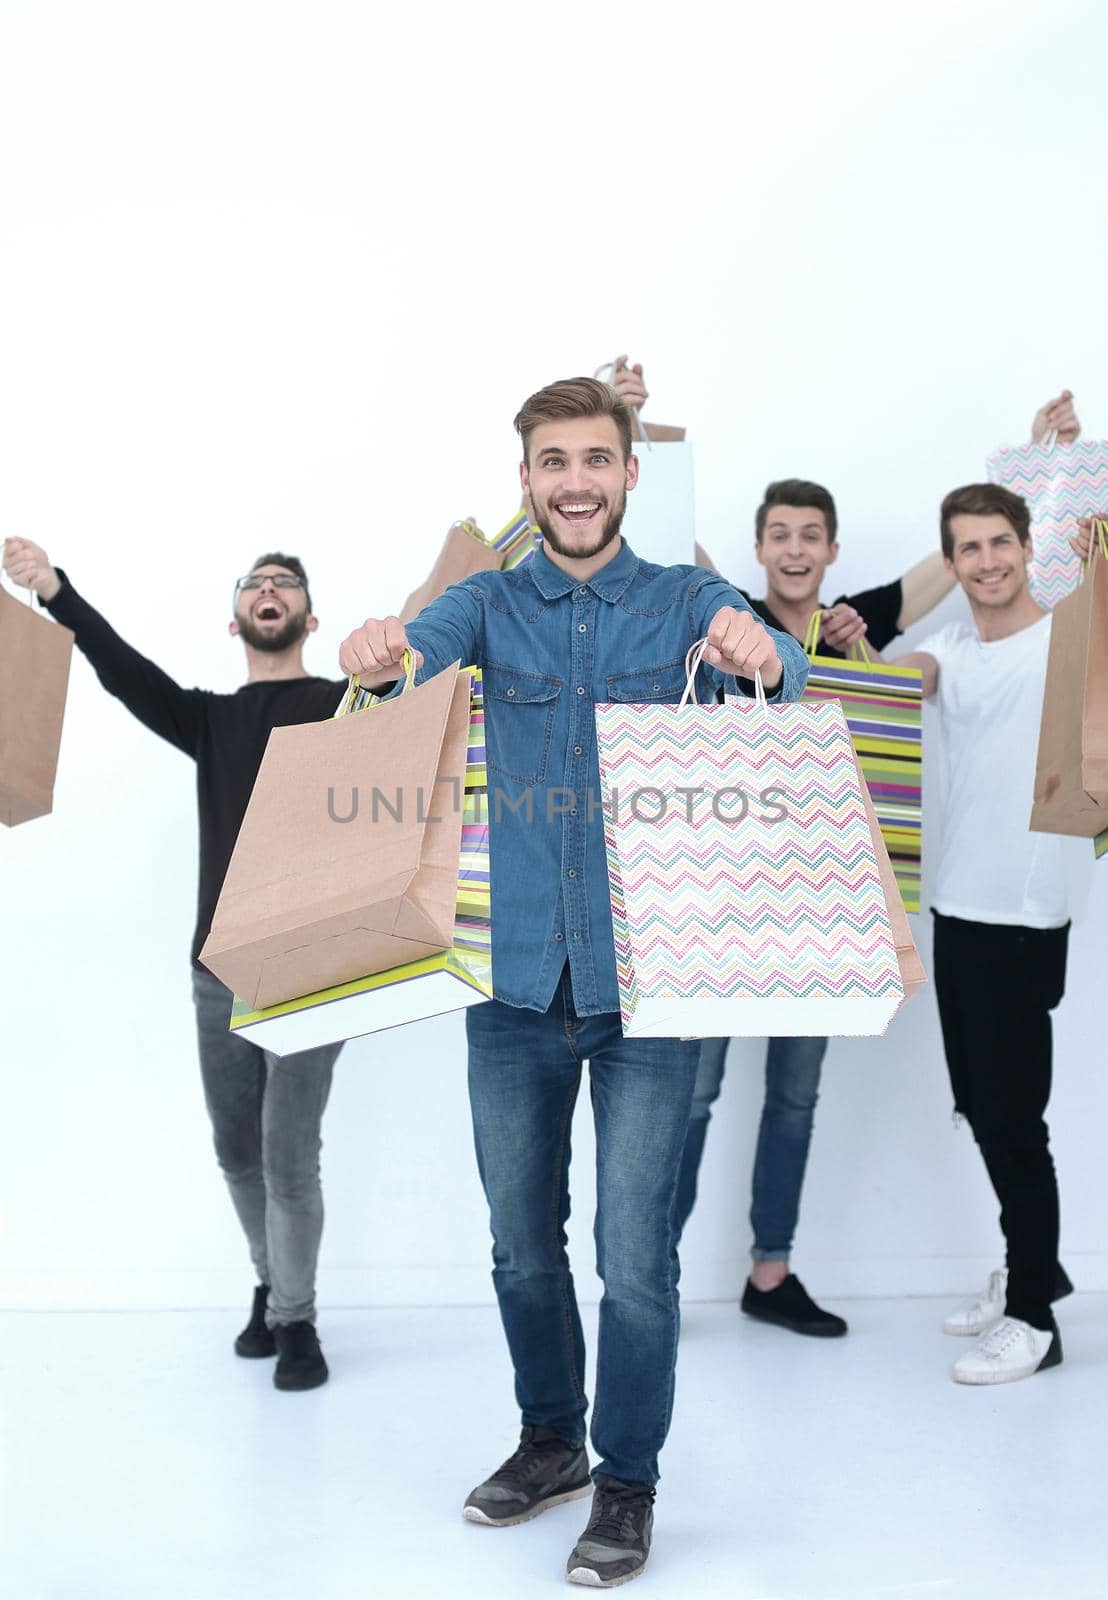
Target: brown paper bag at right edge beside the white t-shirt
1072 766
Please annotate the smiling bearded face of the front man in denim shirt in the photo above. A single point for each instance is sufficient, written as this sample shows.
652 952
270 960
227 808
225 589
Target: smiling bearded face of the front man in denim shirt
577 479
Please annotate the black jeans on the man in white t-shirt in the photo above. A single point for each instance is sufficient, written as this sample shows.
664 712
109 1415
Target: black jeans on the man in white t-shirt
997 988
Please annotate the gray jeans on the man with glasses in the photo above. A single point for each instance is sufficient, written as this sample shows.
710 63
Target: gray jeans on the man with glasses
267 1116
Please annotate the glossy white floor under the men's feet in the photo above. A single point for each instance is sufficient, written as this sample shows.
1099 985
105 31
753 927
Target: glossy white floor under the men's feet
143 1460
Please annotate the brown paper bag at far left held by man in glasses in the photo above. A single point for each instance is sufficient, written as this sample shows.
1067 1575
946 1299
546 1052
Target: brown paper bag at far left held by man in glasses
34 676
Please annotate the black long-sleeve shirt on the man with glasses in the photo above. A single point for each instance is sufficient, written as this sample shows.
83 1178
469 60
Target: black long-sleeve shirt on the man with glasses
223 734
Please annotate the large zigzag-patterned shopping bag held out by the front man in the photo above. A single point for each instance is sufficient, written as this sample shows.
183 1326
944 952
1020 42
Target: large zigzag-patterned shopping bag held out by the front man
745 887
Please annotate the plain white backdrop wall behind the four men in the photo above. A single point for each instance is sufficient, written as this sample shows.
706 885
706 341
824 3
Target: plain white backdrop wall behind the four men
279 276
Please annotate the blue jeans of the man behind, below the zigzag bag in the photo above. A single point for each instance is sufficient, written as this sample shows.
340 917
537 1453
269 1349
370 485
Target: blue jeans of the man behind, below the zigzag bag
784 1137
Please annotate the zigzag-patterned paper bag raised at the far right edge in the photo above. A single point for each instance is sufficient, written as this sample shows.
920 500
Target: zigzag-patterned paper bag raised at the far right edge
1061 484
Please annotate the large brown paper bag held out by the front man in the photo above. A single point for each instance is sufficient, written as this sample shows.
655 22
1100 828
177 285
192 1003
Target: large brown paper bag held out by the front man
347 863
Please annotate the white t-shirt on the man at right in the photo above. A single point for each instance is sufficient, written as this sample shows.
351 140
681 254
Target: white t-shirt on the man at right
990 702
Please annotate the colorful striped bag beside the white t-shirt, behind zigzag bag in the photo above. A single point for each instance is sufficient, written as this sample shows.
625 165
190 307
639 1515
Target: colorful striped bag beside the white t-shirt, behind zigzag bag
883 706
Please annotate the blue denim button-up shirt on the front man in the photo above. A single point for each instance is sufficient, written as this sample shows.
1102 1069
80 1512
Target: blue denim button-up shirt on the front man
550 650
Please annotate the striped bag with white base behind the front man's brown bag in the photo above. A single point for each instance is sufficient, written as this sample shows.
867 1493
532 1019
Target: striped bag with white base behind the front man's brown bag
448 982
